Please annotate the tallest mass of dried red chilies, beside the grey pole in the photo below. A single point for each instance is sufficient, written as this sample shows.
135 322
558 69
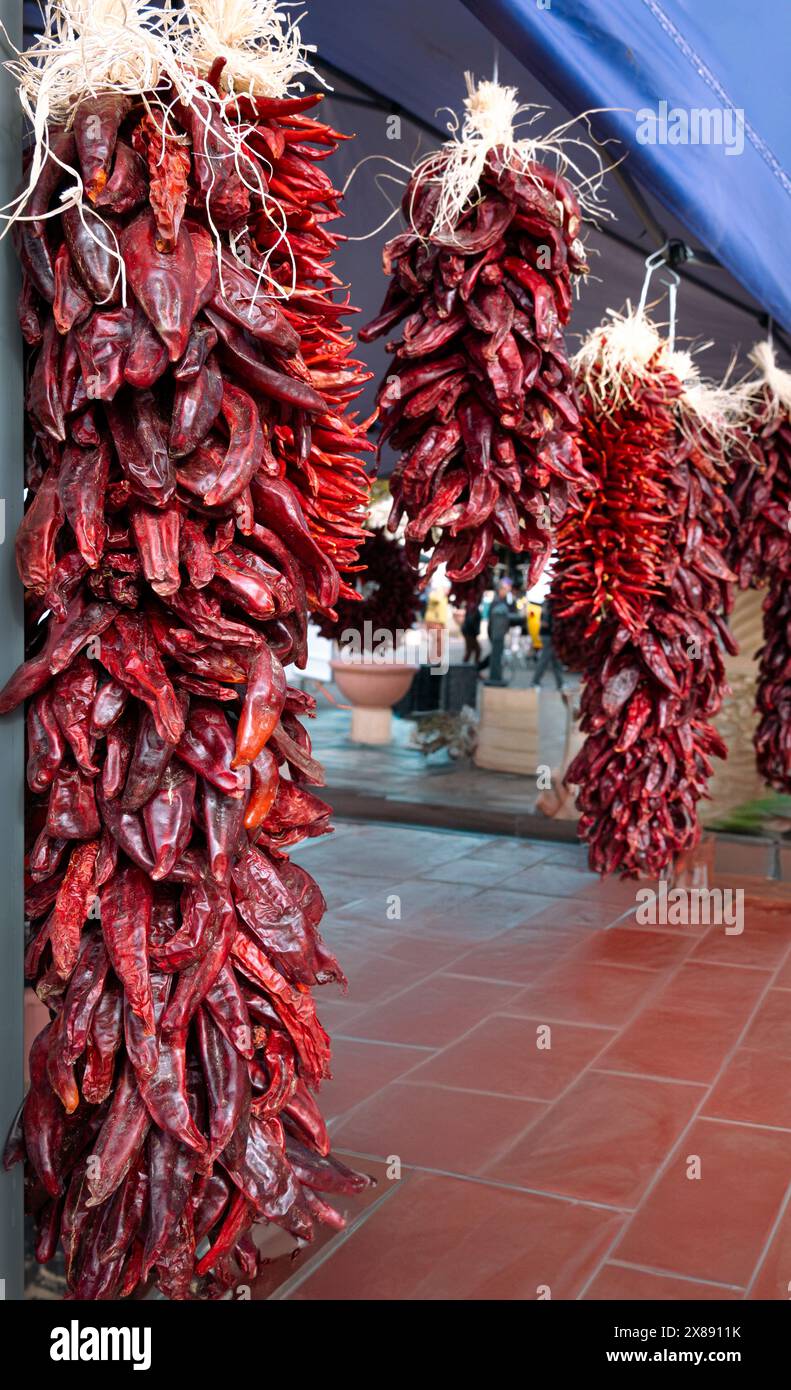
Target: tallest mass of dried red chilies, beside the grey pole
194 490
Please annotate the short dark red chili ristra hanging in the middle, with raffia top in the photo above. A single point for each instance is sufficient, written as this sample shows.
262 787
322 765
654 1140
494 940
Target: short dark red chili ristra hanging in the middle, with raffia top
480 401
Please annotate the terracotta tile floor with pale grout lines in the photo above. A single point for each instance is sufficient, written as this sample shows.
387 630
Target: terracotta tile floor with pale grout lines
551 1097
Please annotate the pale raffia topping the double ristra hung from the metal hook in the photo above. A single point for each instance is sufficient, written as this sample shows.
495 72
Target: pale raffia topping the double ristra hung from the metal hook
628 355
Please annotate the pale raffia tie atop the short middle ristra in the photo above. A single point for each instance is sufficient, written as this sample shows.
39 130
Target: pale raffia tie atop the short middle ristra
489 127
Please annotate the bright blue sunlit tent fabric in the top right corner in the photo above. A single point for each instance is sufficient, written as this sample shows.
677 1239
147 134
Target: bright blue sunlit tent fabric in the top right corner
680 60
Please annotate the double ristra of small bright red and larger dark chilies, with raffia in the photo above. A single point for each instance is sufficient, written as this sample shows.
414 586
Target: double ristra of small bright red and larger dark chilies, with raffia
644 571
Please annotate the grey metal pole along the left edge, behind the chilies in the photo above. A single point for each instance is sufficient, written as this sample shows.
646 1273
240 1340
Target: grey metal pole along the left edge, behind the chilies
12 653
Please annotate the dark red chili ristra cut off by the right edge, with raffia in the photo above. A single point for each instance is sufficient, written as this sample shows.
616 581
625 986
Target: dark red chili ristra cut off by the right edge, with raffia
761 554
